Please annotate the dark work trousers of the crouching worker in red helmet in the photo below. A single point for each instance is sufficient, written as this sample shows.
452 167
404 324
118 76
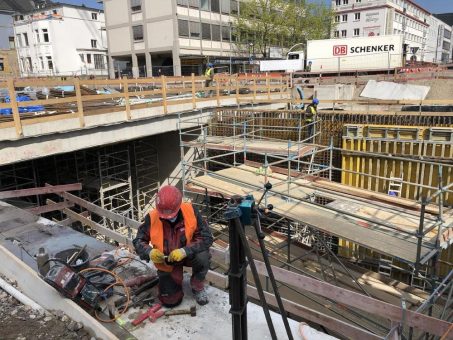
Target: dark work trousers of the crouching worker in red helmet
170 283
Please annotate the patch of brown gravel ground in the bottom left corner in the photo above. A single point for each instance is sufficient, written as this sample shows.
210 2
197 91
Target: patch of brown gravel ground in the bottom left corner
20 322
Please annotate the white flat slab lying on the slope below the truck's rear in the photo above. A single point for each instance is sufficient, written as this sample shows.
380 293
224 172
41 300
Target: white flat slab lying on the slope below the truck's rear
386 90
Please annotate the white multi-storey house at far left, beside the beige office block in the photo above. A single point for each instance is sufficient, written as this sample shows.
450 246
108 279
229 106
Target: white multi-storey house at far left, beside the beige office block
61 40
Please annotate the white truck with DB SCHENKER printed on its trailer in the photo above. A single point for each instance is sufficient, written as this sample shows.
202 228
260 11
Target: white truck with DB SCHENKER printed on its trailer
343 55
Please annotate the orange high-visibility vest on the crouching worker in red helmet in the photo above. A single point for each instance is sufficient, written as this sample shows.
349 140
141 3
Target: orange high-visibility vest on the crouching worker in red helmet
157 231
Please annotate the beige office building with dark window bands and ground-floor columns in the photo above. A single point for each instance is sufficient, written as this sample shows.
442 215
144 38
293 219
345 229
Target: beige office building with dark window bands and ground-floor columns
170 37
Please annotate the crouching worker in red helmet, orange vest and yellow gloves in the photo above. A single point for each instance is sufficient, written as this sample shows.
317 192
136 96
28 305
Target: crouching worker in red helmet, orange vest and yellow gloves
172 236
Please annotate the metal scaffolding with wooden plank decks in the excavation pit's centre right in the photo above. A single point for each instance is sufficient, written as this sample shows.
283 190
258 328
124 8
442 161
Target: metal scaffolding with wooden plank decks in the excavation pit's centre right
303 191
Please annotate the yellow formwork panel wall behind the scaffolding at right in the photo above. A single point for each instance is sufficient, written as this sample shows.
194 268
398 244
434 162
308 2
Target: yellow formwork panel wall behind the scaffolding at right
431 144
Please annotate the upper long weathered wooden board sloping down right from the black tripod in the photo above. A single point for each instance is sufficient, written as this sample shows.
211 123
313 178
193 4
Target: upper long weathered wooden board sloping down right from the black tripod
356 300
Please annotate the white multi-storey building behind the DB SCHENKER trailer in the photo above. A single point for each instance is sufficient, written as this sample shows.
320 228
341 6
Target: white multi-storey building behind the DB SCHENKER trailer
422 32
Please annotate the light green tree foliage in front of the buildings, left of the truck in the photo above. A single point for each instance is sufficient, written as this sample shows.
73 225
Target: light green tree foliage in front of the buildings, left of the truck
280 23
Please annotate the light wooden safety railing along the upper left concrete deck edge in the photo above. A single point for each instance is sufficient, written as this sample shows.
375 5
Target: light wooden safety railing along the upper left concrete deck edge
128 94
